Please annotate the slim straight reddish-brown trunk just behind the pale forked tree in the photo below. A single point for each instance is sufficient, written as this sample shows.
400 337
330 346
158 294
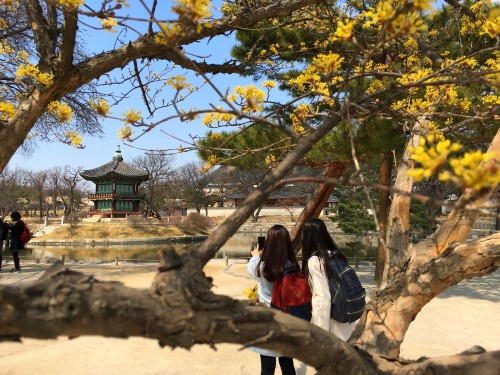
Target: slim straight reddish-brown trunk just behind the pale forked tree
385 174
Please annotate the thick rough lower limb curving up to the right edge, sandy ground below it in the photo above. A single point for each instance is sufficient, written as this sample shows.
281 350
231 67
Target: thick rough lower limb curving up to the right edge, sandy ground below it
391 310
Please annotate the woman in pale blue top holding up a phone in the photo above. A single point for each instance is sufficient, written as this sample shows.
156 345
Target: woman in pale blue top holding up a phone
266 266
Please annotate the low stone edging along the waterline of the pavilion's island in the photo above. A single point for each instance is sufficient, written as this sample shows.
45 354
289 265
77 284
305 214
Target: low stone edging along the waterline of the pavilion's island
119 241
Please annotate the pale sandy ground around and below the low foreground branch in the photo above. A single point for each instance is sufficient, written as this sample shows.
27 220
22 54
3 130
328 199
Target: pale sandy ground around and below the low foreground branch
464 316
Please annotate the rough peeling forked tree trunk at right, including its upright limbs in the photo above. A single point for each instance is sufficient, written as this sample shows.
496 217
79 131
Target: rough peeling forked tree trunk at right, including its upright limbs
425 273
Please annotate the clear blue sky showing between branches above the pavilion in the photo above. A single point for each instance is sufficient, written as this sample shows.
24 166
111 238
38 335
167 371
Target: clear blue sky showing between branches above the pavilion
99 151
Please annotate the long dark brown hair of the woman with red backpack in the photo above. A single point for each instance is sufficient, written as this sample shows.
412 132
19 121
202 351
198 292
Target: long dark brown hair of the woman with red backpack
277 250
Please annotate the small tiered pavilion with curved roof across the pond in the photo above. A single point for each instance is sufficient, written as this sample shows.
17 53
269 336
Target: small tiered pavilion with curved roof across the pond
116 188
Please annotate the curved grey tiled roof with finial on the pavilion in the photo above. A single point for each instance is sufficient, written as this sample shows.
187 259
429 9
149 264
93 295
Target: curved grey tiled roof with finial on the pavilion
116 168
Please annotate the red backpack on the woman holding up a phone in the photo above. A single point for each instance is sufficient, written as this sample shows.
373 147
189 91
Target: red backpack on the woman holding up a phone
291 294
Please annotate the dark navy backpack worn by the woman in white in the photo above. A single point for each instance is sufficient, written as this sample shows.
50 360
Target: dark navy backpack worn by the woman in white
347 293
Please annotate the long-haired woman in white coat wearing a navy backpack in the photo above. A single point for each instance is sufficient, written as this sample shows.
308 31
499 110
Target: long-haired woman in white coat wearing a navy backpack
317 247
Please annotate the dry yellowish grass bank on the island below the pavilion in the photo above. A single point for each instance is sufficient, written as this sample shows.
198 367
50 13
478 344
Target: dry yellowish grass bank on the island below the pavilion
106 230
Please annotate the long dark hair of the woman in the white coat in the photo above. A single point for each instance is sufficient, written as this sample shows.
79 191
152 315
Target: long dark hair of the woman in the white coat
317 241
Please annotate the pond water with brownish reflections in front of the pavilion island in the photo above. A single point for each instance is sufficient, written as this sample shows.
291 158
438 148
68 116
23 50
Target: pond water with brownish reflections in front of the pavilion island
237 246
